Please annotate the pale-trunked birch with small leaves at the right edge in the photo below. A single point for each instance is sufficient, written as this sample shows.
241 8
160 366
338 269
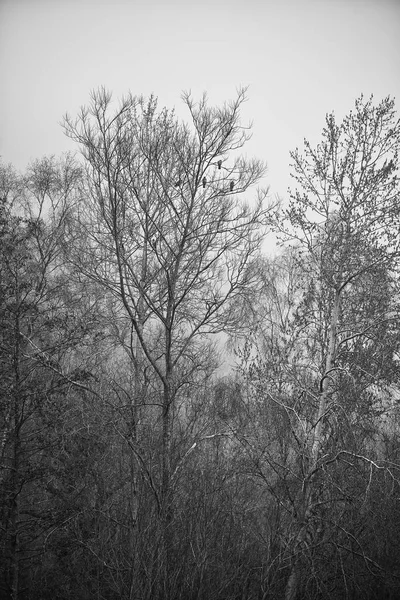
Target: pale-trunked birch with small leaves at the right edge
342 221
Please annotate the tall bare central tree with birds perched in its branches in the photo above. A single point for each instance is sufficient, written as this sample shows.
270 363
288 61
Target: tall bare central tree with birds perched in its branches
163 230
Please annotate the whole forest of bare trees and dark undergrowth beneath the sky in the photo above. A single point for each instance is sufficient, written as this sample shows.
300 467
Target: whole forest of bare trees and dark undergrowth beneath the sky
183 415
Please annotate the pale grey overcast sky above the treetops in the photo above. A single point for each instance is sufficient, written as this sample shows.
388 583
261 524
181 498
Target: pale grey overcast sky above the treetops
300 59
